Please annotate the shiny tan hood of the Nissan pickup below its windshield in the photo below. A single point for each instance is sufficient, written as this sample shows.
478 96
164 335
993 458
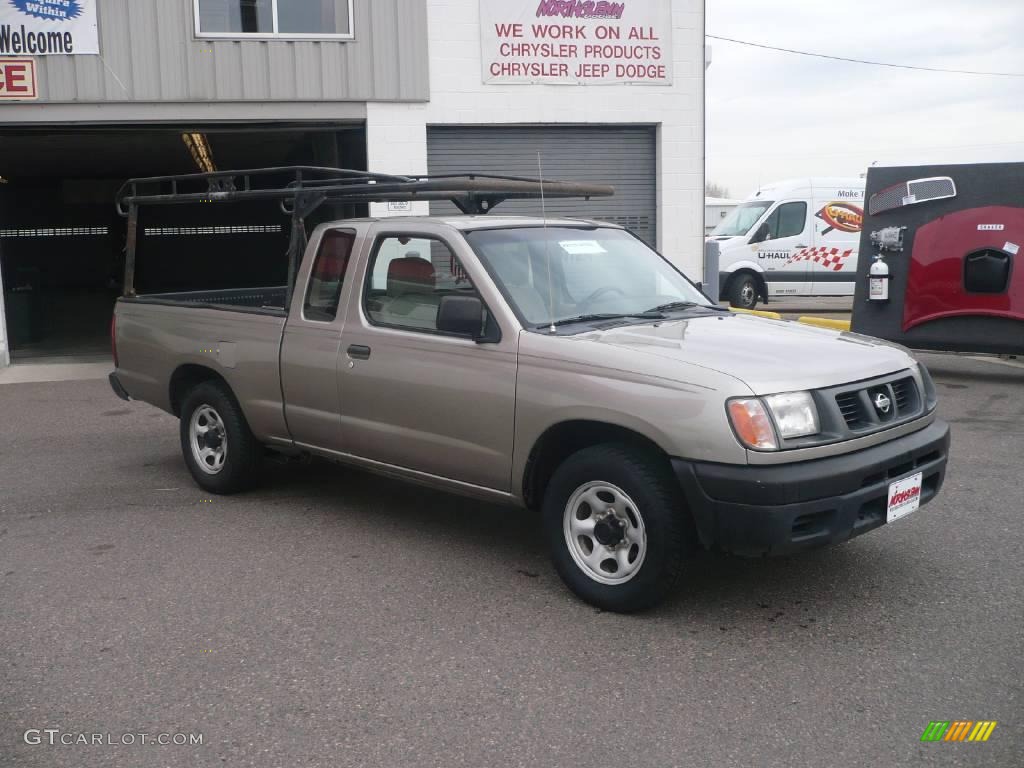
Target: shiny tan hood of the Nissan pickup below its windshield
767 356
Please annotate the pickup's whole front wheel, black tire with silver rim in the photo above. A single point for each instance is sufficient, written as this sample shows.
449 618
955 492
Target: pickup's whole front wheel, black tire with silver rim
617 527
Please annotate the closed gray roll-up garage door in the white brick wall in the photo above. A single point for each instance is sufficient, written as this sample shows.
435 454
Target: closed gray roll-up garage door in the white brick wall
622 156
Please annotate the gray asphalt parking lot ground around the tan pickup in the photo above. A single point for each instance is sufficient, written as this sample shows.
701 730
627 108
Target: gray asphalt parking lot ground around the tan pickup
335 619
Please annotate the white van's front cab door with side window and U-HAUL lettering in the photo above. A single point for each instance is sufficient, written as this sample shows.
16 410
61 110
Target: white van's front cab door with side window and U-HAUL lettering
781 240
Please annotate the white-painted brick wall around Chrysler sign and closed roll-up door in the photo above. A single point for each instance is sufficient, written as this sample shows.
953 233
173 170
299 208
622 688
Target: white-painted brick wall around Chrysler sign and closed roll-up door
398 140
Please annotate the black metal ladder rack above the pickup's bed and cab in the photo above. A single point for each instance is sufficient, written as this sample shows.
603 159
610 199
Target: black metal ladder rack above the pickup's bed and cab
302 190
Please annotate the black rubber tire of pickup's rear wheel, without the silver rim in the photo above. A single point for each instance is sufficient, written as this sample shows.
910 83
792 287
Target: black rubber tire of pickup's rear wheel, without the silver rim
243 456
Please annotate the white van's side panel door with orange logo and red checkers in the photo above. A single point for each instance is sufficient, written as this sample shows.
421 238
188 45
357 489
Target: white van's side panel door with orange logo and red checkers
837 240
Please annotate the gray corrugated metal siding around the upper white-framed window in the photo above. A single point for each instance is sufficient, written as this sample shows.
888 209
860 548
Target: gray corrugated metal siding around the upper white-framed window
150 54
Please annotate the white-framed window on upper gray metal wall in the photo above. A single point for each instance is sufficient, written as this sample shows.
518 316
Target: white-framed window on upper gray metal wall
316 20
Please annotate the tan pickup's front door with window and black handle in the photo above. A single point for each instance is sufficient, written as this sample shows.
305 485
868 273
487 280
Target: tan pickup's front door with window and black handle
412 396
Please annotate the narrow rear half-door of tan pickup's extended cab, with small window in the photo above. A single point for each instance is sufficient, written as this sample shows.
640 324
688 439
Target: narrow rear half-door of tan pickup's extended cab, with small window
312 344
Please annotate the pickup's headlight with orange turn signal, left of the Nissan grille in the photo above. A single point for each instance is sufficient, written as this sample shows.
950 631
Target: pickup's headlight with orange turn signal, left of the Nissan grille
794 415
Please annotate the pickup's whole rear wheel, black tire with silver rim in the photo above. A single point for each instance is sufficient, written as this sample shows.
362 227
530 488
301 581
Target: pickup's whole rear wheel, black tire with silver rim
217 443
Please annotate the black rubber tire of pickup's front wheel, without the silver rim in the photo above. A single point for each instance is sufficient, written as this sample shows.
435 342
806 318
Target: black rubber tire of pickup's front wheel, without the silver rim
648 481
